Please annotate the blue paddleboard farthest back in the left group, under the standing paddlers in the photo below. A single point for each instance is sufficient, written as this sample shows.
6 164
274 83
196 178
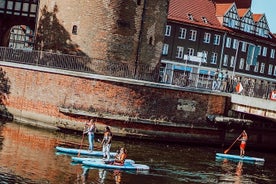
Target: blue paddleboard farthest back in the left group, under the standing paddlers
75 151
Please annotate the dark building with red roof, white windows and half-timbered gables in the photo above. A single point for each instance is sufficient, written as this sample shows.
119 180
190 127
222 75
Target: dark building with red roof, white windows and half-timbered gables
217 37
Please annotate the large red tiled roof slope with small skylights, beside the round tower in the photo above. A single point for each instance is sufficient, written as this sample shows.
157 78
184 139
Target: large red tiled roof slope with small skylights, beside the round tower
179 10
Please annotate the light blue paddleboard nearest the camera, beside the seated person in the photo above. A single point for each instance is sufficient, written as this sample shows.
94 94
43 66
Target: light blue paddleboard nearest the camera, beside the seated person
126 166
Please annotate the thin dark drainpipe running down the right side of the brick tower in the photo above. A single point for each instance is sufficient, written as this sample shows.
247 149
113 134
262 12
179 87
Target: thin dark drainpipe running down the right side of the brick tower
137 58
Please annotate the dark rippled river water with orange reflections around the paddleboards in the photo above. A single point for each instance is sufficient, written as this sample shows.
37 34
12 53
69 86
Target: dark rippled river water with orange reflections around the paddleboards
28 155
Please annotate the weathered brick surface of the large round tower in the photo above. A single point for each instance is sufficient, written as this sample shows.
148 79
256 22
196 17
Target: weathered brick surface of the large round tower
110 30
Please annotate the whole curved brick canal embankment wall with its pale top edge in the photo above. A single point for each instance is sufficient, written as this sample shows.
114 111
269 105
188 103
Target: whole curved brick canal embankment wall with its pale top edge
40 95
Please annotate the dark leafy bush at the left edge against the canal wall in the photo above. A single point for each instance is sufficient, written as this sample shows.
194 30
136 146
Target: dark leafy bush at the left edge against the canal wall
4 91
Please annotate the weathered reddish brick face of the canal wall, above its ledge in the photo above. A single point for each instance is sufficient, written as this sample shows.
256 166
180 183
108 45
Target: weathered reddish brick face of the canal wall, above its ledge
44 93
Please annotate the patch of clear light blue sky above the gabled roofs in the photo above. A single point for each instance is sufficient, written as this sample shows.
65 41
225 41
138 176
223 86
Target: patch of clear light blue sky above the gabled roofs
267 7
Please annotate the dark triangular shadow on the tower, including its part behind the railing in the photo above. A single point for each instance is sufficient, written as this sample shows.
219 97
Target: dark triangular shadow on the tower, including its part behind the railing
54 38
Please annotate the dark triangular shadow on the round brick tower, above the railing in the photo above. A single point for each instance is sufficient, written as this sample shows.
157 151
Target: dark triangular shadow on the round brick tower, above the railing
53 37
